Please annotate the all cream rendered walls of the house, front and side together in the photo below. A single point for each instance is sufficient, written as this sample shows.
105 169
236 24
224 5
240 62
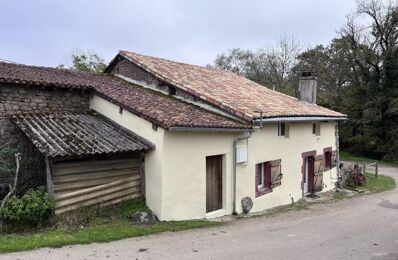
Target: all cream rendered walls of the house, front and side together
176 169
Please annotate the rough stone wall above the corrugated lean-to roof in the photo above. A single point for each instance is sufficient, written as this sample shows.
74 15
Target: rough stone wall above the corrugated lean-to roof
16 99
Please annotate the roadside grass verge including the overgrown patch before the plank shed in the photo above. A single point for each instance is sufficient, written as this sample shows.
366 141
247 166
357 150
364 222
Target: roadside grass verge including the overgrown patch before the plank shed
112 225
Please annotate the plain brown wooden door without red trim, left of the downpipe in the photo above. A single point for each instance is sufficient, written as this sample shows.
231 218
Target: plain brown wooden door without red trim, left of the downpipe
213 183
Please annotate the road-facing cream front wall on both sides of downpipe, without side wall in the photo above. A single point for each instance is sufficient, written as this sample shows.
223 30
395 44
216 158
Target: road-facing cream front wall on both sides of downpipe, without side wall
184 174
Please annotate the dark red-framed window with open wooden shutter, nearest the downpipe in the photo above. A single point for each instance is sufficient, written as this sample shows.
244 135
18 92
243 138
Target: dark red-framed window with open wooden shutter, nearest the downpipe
268 176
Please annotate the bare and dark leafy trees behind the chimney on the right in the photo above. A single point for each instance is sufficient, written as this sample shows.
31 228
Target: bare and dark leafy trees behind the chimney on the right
357 75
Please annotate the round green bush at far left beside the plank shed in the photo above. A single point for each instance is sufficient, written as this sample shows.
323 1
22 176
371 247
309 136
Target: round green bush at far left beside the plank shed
31 210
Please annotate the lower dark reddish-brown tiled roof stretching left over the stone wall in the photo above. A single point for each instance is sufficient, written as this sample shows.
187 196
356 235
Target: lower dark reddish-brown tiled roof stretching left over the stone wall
158 108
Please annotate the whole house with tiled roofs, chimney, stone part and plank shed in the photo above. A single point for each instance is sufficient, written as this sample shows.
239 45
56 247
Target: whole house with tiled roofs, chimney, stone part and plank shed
193 141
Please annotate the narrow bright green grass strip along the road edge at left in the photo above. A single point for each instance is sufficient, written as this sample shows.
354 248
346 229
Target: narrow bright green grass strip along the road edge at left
97 233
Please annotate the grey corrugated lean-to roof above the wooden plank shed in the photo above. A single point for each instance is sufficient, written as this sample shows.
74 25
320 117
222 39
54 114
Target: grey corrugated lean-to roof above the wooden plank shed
77 135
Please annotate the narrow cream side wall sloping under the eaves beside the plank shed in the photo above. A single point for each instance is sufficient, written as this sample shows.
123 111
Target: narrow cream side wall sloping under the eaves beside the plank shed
153 159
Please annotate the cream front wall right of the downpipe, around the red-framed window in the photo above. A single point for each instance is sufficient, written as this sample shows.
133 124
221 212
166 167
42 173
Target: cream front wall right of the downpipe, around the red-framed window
265 145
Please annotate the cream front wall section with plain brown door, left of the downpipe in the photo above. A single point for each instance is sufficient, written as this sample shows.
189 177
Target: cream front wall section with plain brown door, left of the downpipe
184 180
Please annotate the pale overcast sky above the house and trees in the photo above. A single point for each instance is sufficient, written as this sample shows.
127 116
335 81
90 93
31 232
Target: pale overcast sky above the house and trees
45 33
